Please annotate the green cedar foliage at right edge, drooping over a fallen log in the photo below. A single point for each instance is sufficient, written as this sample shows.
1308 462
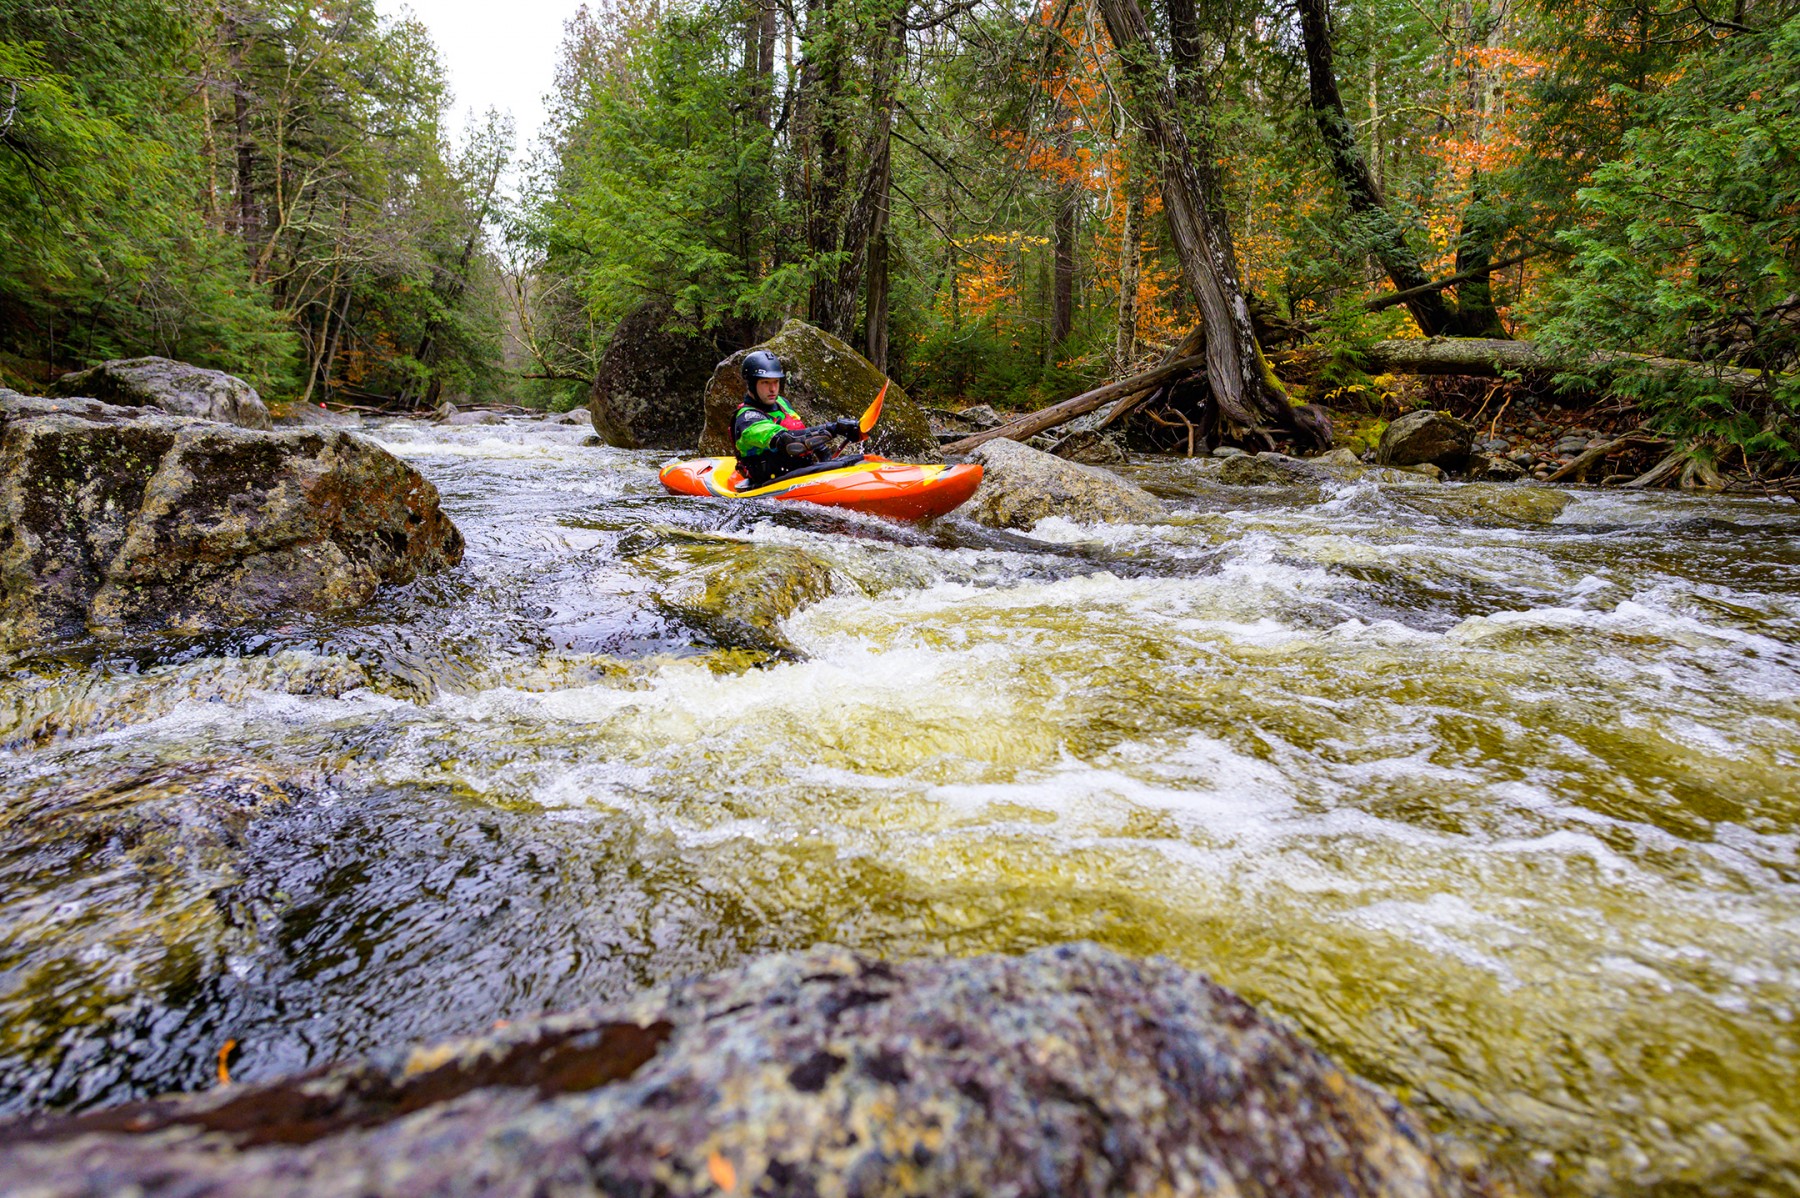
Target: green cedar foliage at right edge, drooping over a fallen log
1691 244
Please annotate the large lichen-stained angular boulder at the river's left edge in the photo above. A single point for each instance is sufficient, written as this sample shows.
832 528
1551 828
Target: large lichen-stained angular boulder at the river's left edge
120 521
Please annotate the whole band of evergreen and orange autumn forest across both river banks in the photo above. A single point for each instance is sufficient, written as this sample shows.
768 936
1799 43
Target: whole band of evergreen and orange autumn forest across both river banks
971 192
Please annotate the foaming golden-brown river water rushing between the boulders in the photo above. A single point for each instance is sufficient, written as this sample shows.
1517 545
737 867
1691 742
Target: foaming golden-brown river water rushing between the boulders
1504 816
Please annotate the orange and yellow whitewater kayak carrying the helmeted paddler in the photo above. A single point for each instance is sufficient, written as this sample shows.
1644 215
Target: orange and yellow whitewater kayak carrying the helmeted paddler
876 487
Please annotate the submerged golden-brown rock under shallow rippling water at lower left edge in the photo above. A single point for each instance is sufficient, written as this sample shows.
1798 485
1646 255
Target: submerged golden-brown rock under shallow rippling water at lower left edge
154 857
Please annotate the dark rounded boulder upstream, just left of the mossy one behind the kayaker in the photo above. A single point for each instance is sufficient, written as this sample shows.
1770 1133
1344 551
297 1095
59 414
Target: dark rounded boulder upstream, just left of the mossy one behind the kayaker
651 389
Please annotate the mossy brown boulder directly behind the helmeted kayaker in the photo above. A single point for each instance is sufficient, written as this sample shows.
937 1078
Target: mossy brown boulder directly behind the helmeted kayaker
827 380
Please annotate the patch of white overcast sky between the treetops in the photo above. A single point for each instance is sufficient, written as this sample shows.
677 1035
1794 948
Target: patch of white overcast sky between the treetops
499 55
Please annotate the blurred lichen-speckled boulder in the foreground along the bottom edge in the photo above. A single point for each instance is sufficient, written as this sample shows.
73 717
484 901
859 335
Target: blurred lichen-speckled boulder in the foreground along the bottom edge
1068 1071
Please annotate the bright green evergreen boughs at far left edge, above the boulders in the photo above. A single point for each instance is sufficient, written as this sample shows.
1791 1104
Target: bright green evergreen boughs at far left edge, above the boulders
107 253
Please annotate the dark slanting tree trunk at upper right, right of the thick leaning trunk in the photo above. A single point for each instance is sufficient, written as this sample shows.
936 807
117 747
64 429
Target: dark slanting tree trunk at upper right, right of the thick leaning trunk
1362 193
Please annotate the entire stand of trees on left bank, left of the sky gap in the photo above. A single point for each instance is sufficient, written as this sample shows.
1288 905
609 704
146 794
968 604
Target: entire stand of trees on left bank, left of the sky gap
264 190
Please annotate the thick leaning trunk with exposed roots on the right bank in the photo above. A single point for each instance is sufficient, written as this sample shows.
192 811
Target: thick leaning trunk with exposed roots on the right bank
1250 400
